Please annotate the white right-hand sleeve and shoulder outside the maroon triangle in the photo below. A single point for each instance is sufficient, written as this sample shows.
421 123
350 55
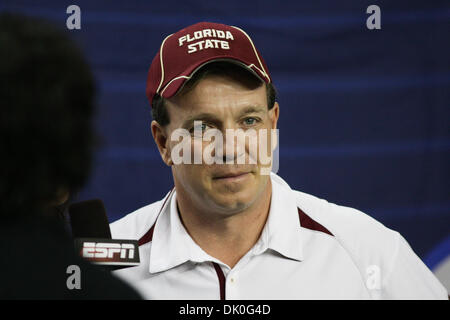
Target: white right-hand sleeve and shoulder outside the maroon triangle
383 257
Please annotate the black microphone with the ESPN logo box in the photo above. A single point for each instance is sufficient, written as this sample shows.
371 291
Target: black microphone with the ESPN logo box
90 228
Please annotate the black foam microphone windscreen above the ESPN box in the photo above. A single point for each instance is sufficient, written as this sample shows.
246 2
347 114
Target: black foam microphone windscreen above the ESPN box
88 220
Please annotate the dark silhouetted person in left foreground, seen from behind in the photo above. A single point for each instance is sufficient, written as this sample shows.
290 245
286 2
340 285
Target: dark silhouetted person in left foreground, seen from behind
46 143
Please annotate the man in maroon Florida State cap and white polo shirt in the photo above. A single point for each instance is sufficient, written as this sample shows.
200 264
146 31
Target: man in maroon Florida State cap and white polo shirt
230 230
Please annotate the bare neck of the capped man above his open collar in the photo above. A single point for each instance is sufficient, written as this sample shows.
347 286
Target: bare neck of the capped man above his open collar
226 238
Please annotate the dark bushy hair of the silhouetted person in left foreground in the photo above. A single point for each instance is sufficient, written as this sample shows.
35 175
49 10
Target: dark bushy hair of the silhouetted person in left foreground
47 95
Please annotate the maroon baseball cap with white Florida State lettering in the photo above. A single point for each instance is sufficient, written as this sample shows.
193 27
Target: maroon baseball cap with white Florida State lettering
183 53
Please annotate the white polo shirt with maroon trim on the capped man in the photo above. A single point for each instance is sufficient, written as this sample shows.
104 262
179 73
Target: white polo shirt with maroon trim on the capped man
308 249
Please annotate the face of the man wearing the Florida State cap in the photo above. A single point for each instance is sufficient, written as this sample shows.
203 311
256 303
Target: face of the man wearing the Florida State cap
221 103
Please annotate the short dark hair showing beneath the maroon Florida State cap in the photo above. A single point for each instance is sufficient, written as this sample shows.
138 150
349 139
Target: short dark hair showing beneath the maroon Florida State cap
159 110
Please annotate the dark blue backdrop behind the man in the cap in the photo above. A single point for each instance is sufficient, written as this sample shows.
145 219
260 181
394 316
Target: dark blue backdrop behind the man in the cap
365 114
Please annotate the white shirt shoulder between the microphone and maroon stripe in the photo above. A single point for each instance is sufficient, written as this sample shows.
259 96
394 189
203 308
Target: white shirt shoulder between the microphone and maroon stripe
135 224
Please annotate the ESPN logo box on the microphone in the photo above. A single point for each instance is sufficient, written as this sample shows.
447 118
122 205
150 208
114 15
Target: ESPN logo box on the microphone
107 252
